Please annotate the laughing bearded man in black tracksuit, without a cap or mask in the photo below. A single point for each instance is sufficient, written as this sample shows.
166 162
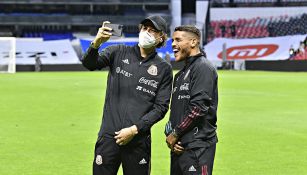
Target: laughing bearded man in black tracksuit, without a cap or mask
191 130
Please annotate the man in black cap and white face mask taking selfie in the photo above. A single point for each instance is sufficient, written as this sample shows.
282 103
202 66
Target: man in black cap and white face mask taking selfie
137 96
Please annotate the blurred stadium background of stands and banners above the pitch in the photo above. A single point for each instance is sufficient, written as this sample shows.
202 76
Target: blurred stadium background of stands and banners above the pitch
44 28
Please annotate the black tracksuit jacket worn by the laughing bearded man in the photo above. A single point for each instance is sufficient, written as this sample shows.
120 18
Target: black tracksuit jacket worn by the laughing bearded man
194 103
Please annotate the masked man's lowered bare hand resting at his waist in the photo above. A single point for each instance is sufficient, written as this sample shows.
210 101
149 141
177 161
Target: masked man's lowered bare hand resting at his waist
125 135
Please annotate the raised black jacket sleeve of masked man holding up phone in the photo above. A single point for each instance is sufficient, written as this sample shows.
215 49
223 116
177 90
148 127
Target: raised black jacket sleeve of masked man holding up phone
93 60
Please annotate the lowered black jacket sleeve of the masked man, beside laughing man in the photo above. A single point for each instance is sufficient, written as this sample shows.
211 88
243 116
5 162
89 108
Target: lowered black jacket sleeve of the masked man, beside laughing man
161 103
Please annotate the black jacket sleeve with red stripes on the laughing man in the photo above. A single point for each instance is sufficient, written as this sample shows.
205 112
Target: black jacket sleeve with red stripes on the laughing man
203 81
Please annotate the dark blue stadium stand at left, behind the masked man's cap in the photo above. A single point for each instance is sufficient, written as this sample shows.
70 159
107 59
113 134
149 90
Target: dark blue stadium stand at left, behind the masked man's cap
28 18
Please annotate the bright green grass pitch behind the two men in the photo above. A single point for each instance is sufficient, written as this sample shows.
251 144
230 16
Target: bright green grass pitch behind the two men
49 123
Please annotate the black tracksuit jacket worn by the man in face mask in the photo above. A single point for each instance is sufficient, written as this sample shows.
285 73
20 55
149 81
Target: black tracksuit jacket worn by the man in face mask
138 90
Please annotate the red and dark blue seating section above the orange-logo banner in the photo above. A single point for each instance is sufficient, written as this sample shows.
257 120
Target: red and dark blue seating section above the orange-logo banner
258 27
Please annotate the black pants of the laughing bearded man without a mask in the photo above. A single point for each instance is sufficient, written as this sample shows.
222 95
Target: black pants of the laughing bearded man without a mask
196 161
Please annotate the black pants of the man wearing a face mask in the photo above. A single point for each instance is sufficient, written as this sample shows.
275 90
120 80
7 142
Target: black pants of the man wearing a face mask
134 157
